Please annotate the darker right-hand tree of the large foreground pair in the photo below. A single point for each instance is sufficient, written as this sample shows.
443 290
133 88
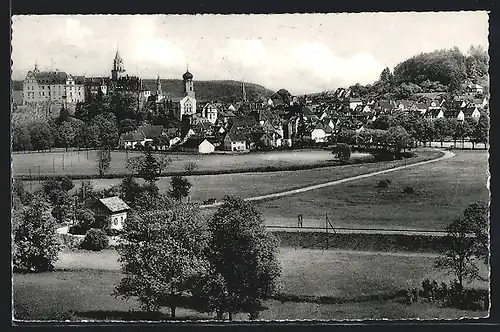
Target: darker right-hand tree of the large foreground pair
243 259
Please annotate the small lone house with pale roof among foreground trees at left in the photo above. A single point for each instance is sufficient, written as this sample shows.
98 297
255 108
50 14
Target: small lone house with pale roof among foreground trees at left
111 212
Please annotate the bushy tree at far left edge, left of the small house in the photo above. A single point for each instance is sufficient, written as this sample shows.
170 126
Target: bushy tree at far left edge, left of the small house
36 245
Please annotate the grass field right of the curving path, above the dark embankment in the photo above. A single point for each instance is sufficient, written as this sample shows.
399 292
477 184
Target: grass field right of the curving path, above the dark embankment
443 191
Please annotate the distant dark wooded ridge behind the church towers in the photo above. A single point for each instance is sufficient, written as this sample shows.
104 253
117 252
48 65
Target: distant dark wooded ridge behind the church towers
224 90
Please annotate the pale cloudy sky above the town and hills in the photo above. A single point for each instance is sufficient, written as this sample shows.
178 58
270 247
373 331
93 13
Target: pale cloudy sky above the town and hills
302 53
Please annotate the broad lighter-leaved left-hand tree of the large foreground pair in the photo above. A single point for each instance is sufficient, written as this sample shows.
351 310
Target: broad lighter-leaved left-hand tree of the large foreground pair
162 256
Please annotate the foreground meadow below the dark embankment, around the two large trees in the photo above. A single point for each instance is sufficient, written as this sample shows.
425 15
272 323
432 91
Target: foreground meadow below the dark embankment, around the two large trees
351 277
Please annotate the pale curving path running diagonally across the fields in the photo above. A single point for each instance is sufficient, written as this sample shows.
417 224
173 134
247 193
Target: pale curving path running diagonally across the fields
447 155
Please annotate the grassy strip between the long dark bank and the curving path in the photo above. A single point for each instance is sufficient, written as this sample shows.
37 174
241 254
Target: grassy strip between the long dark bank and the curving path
254 184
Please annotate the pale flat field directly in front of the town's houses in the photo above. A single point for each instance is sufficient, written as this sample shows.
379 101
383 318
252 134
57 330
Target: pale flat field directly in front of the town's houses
84 163
